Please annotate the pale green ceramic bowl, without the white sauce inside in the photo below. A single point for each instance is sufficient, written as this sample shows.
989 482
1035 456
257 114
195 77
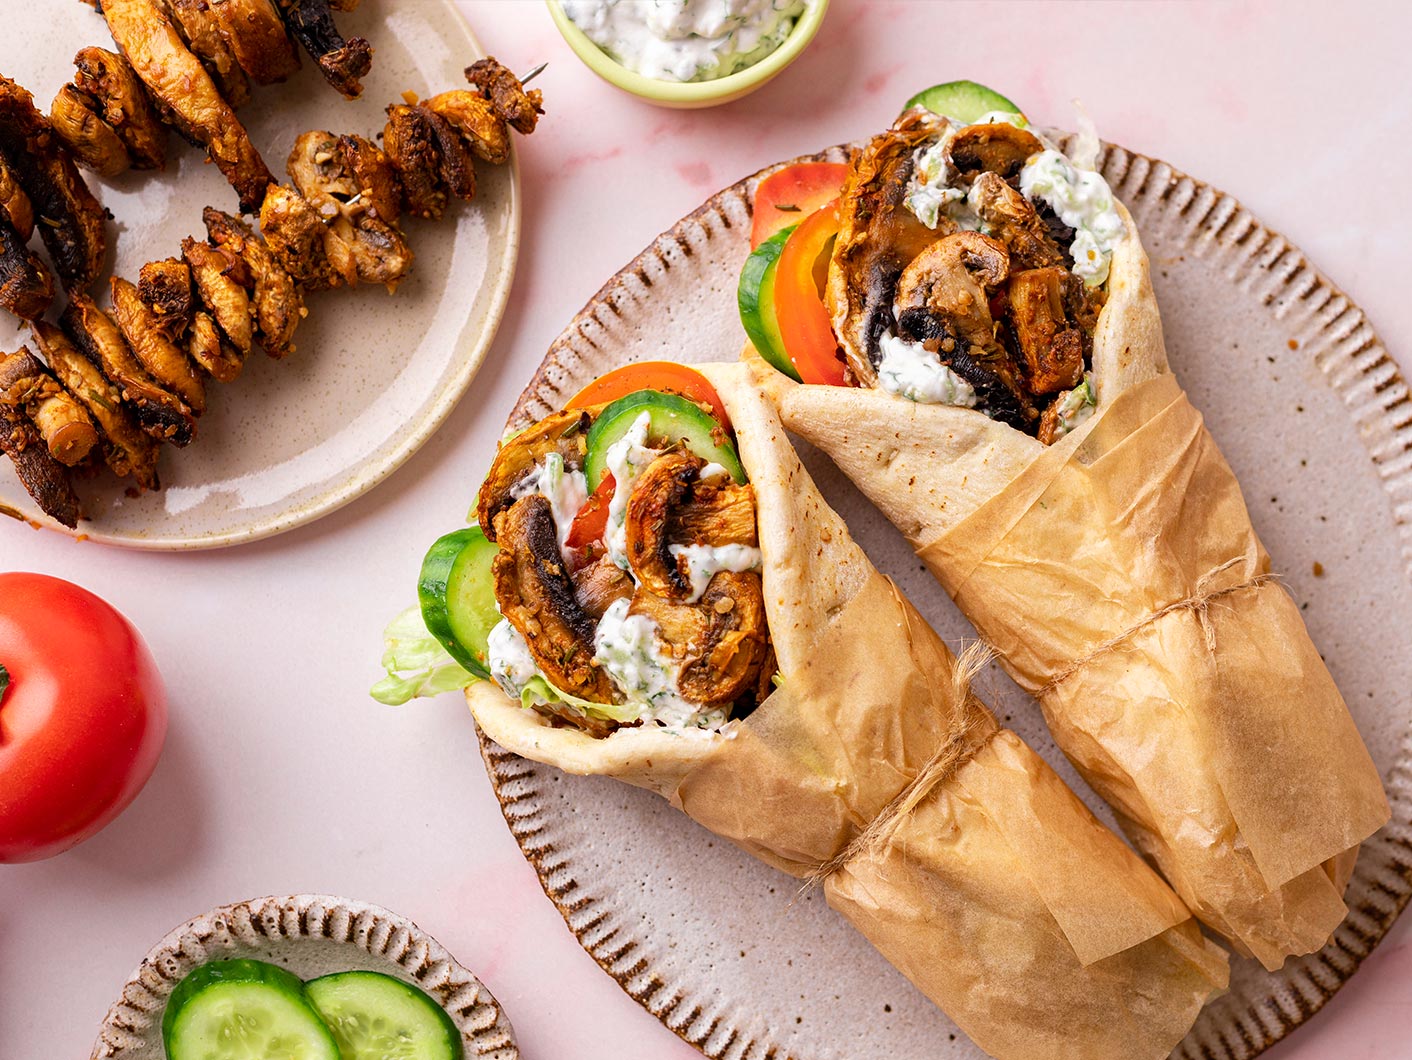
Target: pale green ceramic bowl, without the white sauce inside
697 94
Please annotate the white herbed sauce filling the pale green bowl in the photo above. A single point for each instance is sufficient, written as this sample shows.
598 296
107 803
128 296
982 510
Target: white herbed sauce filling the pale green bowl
686 40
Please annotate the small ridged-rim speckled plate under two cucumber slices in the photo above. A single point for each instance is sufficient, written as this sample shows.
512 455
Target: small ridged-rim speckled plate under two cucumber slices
310 935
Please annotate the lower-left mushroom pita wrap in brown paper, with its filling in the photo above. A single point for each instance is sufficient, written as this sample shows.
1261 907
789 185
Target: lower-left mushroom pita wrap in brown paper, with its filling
657 592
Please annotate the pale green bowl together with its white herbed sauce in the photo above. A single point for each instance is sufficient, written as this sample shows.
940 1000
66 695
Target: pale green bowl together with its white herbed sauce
688 53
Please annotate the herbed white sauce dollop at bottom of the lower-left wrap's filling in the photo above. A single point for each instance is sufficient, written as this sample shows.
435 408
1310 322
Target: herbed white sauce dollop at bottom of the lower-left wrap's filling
628 649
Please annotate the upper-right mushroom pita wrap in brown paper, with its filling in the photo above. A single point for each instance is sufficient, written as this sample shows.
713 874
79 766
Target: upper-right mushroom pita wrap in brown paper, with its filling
1003 396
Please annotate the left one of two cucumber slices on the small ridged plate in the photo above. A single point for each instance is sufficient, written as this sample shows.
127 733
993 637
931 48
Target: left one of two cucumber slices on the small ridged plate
244 1011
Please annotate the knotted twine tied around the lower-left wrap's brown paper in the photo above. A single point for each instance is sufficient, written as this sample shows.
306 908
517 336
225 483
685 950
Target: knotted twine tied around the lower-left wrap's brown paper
959 747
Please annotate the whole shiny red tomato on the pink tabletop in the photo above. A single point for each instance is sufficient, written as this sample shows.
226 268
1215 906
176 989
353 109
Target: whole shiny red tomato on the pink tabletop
83 715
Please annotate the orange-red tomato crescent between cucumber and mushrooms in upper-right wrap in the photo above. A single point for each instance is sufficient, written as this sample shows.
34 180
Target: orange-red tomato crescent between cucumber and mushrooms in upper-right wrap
800 310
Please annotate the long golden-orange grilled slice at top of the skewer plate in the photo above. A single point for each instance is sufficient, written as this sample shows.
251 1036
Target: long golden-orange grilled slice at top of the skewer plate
181 85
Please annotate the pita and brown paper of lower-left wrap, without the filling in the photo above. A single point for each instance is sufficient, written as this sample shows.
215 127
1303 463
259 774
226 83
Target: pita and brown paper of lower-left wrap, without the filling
876 773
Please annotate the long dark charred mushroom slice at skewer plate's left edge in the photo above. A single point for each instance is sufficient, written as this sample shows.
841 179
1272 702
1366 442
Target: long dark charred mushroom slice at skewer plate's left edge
73 227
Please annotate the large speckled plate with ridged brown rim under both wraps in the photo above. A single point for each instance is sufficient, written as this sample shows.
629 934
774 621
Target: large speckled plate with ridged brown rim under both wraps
1317 421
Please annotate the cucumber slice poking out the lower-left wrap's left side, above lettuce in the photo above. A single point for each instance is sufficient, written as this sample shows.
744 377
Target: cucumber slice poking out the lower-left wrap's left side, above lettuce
458 598
